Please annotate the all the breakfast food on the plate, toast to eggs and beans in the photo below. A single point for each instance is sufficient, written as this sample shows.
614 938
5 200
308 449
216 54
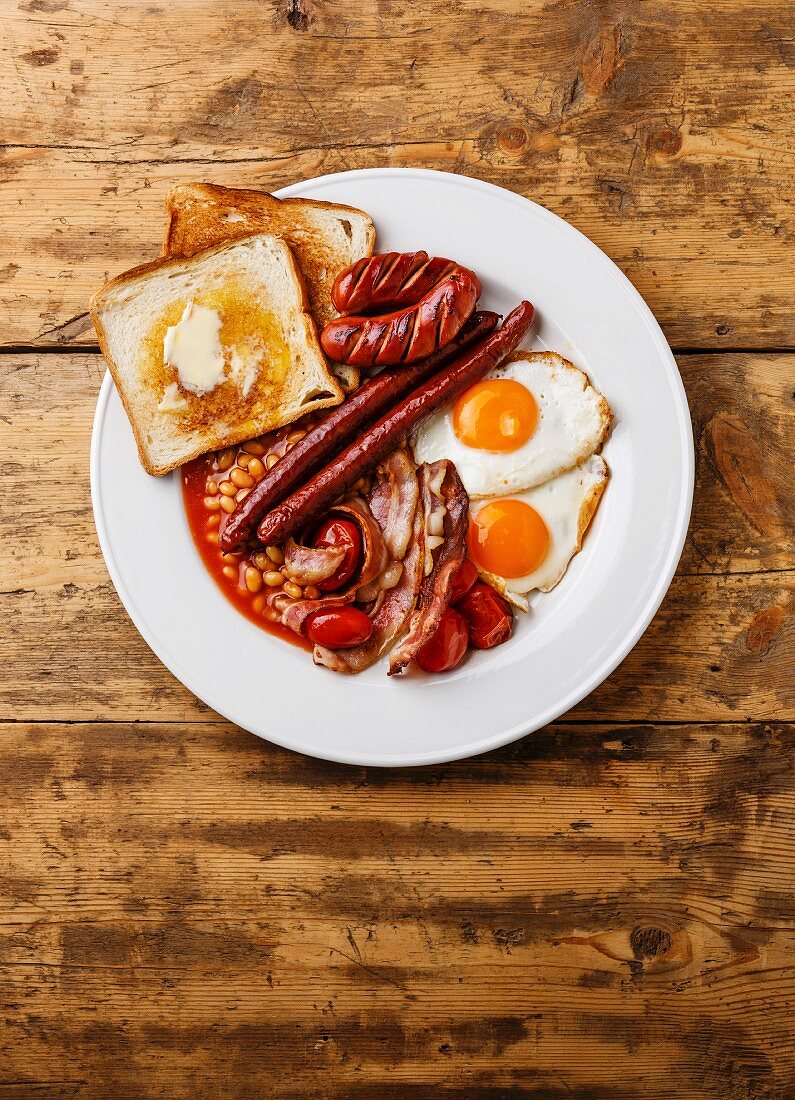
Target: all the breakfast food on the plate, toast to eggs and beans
371 464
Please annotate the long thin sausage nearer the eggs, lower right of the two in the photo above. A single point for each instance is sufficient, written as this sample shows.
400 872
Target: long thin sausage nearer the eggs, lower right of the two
321 492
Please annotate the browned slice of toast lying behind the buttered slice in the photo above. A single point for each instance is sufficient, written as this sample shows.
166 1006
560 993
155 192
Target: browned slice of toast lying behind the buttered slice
326 237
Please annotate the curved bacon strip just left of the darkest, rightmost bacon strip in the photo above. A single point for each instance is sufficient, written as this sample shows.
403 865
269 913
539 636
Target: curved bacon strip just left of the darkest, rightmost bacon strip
391 615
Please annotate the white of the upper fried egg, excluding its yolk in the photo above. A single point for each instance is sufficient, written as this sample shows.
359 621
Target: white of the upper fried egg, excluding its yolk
573 422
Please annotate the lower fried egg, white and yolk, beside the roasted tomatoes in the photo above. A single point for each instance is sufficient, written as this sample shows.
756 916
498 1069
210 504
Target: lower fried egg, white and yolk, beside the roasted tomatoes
525 542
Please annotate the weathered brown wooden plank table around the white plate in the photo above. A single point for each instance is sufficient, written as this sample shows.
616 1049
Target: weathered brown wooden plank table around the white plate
604 910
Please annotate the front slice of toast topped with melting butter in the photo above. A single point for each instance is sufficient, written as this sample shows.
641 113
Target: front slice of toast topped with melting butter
213 350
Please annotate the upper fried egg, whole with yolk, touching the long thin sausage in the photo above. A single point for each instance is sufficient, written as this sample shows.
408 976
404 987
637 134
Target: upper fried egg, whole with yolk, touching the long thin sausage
527 422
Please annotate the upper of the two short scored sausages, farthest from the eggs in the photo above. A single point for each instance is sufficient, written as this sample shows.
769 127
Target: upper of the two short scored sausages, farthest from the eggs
390 281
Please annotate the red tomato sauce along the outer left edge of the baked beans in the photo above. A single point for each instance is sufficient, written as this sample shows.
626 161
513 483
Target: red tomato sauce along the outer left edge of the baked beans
228 571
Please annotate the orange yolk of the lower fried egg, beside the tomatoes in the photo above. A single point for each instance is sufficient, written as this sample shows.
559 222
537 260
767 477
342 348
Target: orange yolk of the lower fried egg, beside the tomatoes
509 538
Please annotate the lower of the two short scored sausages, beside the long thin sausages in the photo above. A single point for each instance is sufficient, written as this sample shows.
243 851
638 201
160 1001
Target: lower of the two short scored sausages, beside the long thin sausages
410 334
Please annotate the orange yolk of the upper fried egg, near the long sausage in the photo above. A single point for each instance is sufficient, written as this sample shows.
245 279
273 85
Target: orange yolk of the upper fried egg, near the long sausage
495 415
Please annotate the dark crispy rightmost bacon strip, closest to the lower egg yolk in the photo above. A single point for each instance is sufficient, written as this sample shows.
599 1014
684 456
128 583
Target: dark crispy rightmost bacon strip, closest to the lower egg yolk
446 500
